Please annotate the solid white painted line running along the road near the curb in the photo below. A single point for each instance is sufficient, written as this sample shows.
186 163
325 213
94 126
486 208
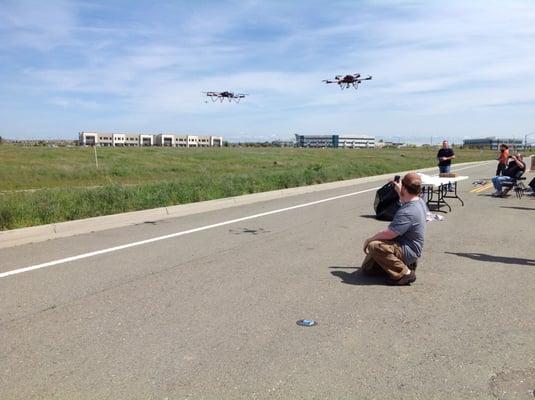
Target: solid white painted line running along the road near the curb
173 235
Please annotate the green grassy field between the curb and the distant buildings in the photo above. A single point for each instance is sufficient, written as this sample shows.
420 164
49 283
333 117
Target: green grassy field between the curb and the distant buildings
40 185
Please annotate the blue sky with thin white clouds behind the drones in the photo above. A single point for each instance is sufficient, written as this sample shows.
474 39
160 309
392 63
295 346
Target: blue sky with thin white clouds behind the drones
441 69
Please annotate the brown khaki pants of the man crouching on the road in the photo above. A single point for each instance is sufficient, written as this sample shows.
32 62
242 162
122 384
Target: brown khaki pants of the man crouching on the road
385 255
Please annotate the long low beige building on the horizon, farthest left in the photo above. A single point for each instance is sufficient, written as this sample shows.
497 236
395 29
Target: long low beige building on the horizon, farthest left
135 140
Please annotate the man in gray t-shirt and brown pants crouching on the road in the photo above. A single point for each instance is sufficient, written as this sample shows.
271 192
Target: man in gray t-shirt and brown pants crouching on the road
395 249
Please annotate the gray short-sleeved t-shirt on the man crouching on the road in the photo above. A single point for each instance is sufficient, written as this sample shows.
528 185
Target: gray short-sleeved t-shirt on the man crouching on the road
409 224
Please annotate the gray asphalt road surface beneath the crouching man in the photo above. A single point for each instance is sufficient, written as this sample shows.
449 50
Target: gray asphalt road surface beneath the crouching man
212 314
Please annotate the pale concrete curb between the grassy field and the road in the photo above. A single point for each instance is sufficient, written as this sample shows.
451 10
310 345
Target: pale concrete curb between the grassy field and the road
17 237
